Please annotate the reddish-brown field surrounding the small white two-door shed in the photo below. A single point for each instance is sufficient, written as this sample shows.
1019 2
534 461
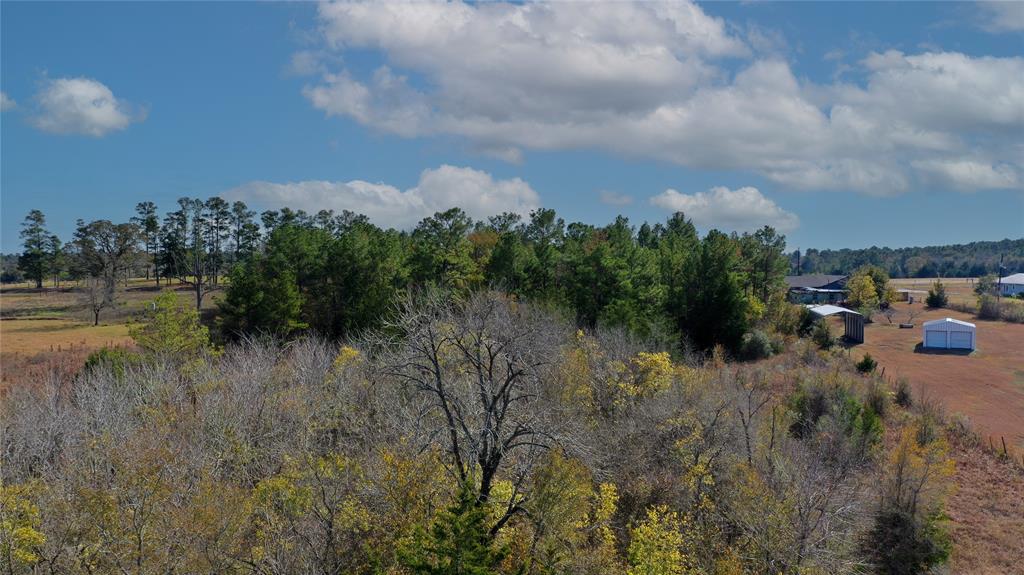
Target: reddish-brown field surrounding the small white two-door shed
988 386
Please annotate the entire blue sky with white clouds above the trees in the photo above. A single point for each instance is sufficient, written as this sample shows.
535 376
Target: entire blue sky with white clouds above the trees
845 125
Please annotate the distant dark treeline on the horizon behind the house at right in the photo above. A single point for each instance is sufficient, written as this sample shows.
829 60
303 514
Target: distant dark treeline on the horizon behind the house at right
962 260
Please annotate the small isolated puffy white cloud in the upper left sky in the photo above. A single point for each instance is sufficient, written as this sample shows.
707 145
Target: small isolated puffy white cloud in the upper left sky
81 106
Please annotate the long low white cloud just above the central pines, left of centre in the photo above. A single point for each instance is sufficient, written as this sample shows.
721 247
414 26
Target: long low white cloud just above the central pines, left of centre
478 193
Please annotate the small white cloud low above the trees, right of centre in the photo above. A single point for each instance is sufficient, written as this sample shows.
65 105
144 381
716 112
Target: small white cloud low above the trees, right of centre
745 209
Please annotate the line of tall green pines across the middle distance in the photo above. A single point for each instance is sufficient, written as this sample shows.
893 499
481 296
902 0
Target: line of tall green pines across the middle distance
338 275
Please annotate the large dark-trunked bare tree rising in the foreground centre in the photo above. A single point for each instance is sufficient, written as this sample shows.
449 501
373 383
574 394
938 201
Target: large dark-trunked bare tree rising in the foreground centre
481 369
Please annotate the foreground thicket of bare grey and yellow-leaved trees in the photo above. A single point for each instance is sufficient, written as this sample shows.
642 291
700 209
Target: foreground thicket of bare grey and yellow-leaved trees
470 435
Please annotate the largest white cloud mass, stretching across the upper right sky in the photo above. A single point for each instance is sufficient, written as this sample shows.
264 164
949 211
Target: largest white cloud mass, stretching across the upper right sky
650 80
